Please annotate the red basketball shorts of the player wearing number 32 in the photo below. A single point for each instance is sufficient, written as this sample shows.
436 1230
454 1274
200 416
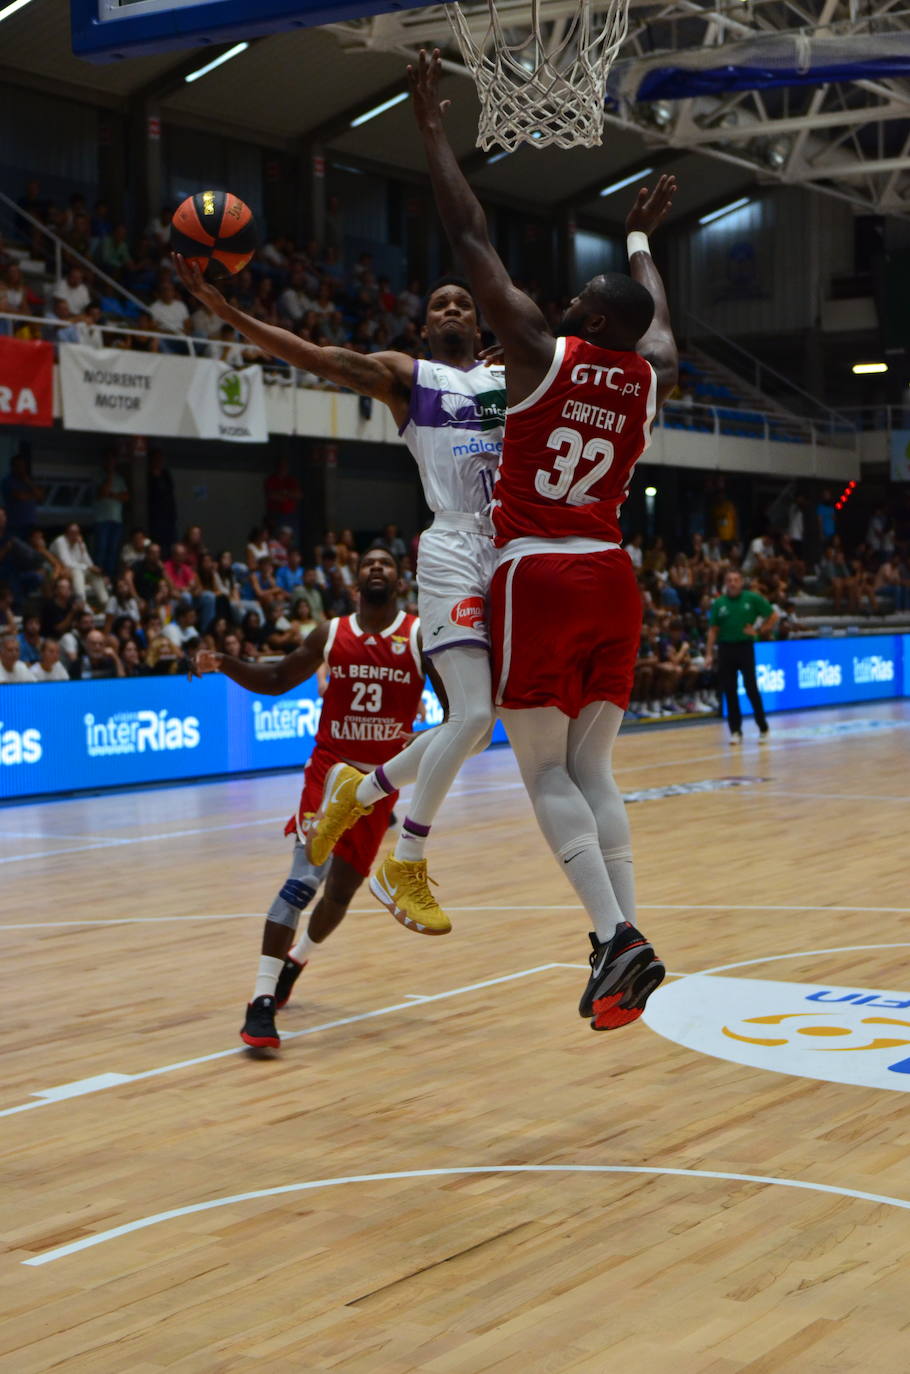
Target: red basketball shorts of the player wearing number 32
566 630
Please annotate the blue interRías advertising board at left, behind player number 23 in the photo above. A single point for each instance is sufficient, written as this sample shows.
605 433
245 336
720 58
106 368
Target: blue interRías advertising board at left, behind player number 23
71 737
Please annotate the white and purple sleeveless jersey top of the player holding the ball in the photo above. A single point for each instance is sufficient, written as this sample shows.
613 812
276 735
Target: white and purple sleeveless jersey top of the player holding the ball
456 431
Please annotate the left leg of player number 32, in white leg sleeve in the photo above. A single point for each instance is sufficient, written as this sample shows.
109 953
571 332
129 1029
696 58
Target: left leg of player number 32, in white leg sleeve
541 743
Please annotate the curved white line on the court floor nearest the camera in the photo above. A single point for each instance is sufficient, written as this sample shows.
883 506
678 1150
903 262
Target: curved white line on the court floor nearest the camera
282 1191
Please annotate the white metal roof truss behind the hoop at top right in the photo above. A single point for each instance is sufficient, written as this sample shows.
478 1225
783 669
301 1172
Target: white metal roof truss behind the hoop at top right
850 139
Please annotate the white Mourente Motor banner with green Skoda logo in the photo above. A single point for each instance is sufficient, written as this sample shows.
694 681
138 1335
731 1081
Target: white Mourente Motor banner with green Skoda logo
152 394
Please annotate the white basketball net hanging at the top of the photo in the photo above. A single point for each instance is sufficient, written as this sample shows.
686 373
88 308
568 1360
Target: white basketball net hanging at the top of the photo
542 91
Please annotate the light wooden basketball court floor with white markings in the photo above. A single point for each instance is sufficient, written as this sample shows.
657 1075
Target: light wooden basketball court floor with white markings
445 1171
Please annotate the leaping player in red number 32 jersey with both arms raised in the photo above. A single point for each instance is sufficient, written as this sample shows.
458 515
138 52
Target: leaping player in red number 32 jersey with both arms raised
566 609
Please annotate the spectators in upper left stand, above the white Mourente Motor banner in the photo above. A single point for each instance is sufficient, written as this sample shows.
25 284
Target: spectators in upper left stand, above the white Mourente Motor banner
307 291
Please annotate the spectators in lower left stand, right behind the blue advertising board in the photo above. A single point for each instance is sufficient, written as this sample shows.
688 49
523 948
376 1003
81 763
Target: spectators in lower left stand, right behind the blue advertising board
129 607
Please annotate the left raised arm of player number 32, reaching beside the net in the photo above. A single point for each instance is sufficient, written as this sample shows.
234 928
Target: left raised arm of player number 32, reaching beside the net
513 317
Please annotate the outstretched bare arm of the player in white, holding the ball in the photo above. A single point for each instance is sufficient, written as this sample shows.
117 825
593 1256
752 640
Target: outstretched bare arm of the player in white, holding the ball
386 377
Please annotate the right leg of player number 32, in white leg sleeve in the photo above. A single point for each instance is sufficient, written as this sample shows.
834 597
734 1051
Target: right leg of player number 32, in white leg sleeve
592 767
